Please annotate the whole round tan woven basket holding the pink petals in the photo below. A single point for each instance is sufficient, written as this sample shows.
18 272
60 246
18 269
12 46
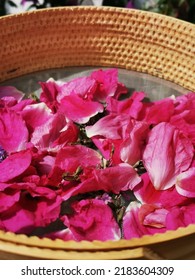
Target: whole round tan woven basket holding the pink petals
160 46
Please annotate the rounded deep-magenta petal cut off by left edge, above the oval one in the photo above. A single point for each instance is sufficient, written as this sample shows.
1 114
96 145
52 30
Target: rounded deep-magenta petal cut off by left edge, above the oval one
13 131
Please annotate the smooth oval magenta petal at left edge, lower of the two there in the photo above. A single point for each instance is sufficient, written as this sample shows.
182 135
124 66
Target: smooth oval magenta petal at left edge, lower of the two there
14 165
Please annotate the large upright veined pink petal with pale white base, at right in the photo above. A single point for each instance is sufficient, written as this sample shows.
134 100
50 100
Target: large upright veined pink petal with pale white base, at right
166 155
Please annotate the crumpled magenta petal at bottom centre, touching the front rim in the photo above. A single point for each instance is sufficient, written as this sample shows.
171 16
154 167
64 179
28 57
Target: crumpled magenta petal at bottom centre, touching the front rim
92 220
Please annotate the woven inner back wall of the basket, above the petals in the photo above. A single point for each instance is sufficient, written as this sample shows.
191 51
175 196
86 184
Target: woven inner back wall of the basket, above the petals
141 41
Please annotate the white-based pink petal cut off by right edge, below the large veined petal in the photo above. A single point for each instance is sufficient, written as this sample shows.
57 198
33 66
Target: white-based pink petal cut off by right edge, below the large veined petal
185 184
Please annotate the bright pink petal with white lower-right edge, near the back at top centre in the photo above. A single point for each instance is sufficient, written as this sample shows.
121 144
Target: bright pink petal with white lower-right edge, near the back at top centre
78 109
